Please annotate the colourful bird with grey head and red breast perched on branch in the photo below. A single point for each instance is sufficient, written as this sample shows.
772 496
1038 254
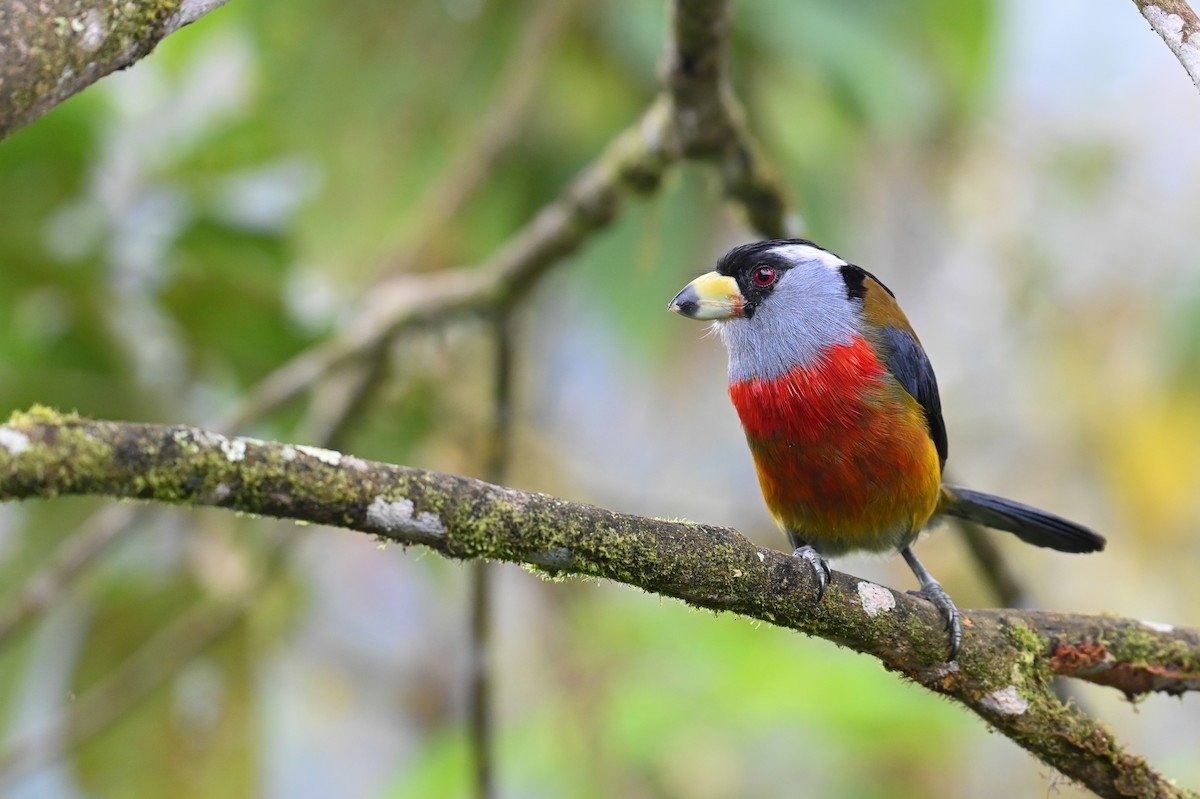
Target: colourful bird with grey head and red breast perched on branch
842 413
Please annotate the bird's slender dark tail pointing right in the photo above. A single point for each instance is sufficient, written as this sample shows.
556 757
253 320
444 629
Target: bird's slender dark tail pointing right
1030 525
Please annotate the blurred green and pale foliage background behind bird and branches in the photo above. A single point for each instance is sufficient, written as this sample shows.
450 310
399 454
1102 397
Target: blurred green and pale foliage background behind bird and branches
1023 176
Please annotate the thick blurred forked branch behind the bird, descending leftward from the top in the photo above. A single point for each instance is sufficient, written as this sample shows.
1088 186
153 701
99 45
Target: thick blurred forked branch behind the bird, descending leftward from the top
695 118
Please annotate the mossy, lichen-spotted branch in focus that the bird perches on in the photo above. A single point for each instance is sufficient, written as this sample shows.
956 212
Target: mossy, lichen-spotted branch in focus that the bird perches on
1004 675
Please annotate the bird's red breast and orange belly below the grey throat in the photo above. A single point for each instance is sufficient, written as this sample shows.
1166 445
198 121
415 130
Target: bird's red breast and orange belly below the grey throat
843 452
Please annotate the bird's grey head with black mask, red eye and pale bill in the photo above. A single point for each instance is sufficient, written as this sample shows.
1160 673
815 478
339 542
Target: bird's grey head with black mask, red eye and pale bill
778 305
